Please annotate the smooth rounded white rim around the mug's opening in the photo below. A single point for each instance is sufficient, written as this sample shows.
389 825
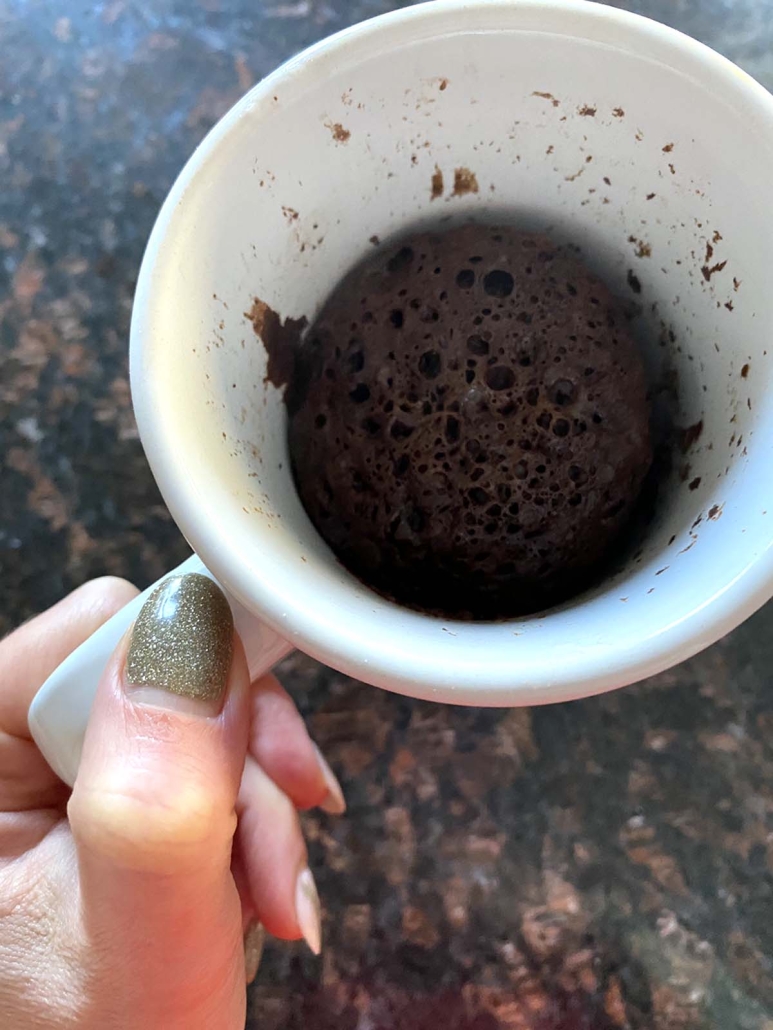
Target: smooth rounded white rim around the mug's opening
461 677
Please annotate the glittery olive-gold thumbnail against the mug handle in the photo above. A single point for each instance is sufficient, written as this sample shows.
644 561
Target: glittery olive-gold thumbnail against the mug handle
182 644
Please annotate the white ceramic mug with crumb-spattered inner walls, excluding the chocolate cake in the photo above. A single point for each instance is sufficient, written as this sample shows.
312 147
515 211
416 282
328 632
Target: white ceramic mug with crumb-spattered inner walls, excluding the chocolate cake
645 147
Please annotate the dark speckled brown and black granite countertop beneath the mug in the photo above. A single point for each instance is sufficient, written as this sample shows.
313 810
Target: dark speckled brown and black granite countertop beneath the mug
602 865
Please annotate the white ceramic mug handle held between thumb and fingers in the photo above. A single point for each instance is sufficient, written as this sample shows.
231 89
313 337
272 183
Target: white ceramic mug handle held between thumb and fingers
60 711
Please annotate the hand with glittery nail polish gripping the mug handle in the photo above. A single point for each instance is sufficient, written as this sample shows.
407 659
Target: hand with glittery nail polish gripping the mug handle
132 902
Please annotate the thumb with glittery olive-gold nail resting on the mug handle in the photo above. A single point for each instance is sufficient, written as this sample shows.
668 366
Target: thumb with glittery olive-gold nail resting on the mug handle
153 814
